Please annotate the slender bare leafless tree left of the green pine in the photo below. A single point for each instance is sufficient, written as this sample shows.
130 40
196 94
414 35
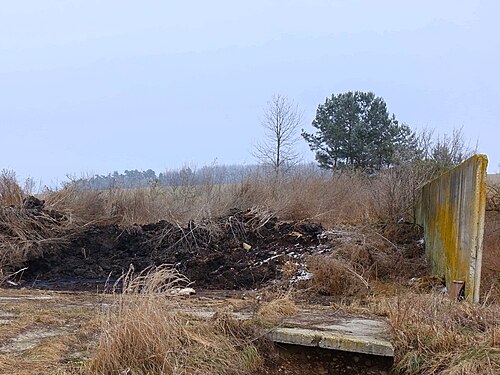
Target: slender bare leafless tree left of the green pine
281 122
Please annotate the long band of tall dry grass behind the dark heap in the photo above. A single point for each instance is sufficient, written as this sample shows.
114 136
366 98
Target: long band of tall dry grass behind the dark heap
348 197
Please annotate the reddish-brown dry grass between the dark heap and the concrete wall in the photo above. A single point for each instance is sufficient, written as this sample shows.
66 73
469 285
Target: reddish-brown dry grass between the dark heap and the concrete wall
362 256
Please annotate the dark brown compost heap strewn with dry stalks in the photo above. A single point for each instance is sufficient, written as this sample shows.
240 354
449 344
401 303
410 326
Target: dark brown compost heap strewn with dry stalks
240 250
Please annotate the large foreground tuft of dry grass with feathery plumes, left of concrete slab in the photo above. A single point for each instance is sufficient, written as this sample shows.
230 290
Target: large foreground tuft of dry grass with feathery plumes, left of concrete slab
147 335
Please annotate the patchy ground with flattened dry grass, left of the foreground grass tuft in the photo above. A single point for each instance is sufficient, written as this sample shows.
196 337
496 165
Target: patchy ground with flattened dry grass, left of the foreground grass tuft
46 332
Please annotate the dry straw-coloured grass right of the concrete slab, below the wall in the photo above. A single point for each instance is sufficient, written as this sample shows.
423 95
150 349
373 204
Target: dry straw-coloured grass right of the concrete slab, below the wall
434 335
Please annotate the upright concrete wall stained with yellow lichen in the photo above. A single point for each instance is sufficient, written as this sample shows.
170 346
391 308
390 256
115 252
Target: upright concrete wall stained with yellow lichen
451 210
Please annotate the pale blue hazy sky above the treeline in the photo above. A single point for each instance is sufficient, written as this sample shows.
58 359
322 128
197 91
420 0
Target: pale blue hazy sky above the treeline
96 86
